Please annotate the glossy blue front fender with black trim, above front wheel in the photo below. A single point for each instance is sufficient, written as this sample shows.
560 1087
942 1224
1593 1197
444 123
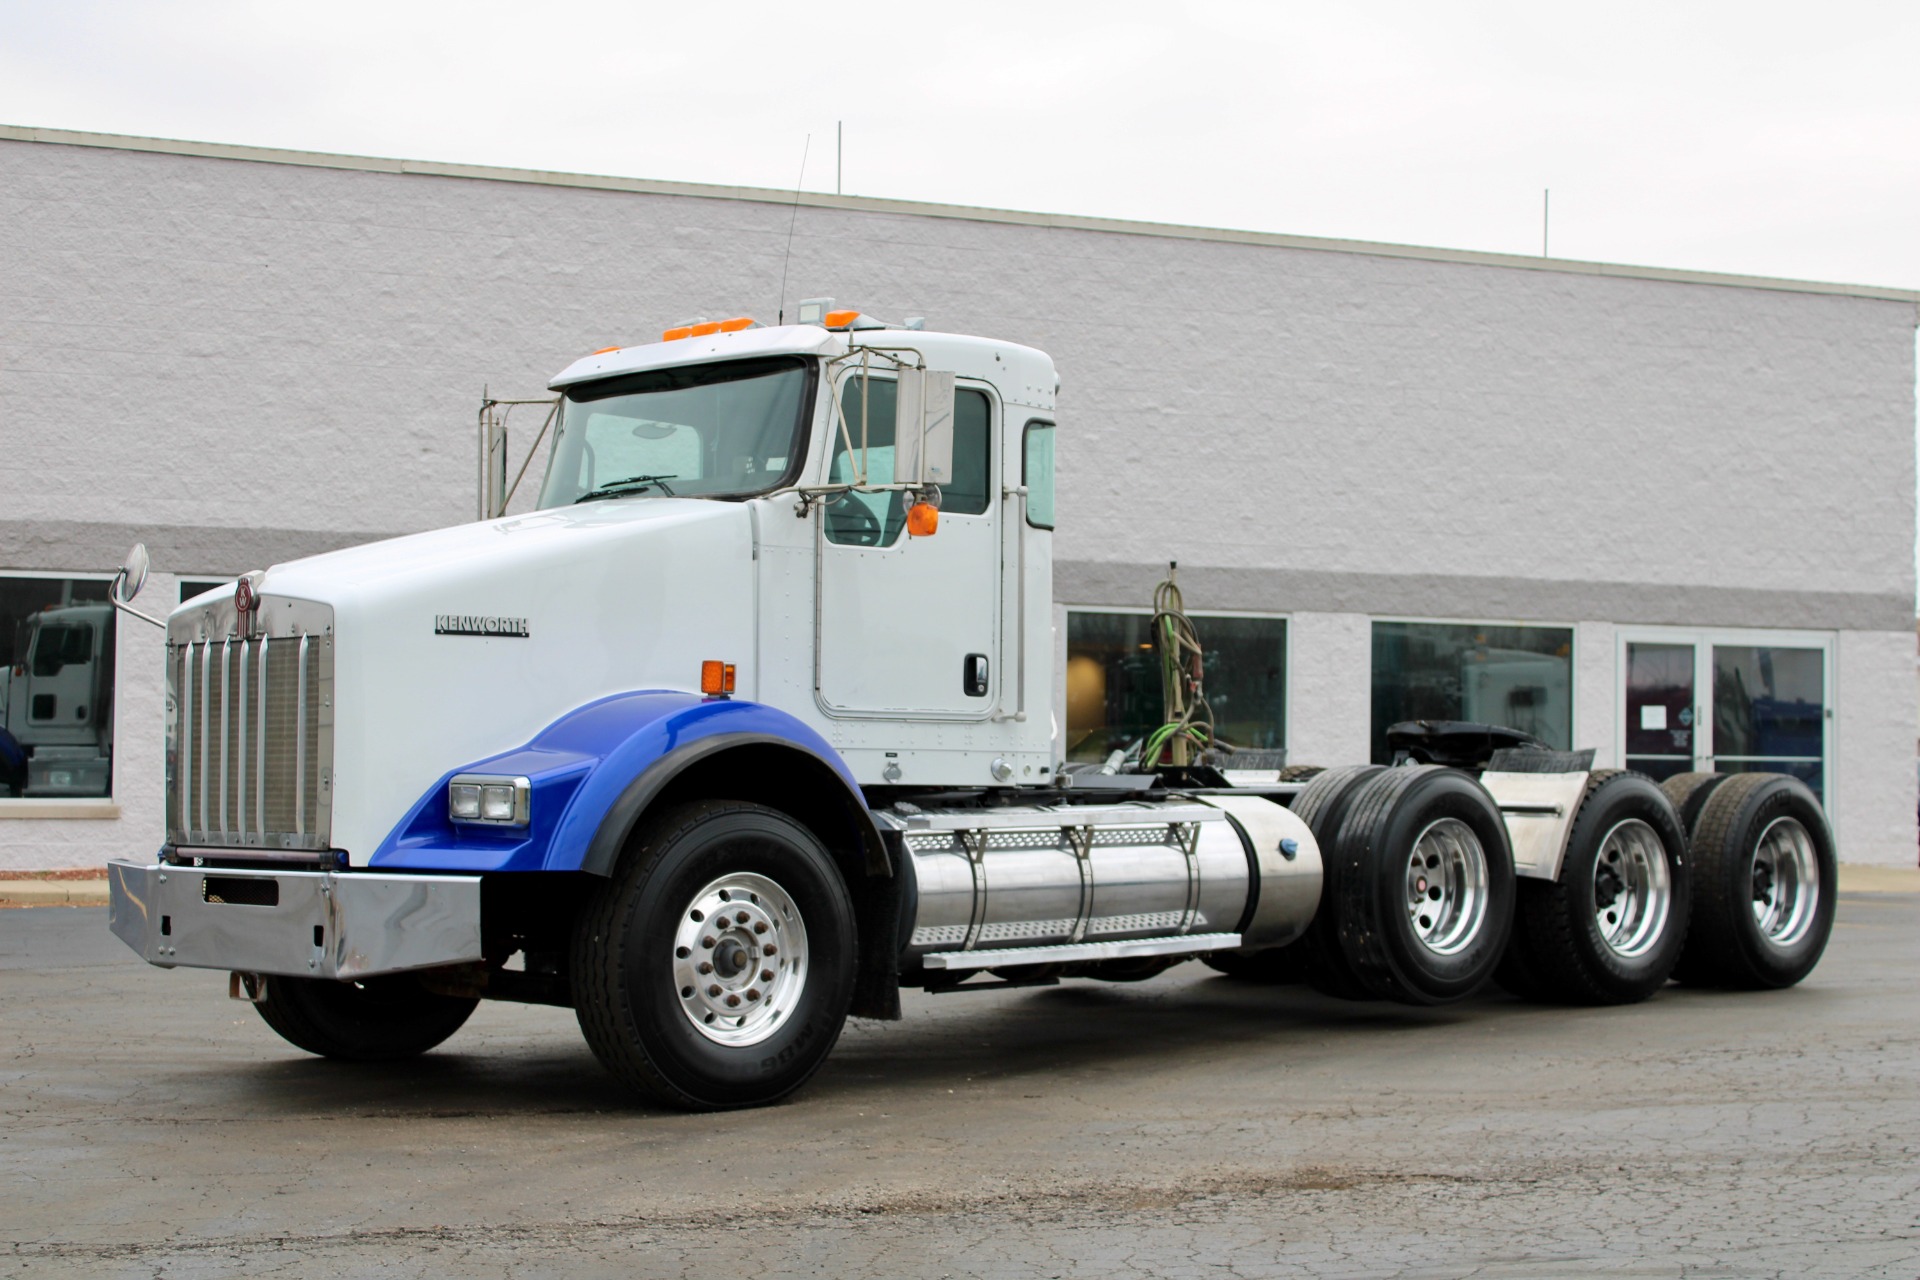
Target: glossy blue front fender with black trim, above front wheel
592 774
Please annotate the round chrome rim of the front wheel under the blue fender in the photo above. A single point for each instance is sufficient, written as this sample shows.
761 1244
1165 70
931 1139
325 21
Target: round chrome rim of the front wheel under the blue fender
740 959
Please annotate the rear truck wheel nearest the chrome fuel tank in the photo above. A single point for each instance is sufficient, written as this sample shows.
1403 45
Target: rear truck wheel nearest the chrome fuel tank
1370 876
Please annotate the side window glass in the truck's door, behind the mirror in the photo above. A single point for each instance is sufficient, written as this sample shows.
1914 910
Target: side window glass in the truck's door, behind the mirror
876 519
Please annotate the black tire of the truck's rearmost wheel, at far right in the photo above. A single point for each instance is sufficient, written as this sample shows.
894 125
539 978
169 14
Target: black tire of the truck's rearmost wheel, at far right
1729 945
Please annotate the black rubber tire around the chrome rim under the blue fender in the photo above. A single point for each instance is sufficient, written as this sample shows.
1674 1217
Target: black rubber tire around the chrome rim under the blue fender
625 959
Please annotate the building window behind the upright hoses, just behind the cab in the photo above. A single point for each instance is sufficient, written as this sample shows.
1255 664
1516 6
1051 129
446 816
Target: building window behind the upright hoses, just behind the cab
1115 684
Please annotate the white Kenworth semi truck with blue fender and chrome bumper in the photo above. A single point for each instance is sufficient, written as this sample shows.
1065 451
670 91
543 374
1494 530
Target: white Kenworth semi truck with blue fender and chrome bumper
748 726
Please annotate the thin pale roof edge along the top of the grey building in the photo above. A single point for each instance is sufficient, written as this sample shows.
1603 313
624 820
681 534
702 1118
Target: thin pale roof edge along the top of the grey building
873 204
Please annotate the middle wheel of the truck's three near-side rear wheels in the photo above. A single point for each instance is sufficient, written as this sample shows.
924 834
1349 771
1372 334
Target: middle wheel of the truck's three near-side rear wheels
1560 953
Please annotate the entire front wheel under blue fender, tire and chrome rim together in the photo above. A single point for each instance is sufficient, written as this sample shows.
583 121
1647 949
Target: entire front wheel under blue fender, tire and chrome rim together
717 966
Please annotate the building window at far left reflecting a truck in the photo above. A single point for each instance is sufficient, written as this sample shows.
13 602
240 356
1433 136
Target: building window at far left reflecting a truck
57 688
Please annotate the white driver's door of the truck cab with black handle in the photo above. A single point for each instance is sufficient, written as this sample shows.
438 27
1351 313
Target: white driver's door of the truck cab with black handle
909 627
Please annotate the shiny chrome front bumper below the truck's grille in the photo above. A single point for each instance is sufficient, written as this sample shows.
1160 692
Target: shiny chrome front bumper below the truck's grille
308 924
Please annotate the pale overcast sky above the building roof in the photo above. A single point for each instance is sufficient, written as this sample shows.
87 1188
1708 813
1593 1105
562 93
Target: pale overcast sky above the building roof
1756 137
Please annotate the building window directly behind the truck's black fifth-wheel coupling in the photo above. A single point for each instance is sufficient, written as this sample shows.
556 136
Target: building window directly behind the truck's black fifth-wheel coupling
1508 676
